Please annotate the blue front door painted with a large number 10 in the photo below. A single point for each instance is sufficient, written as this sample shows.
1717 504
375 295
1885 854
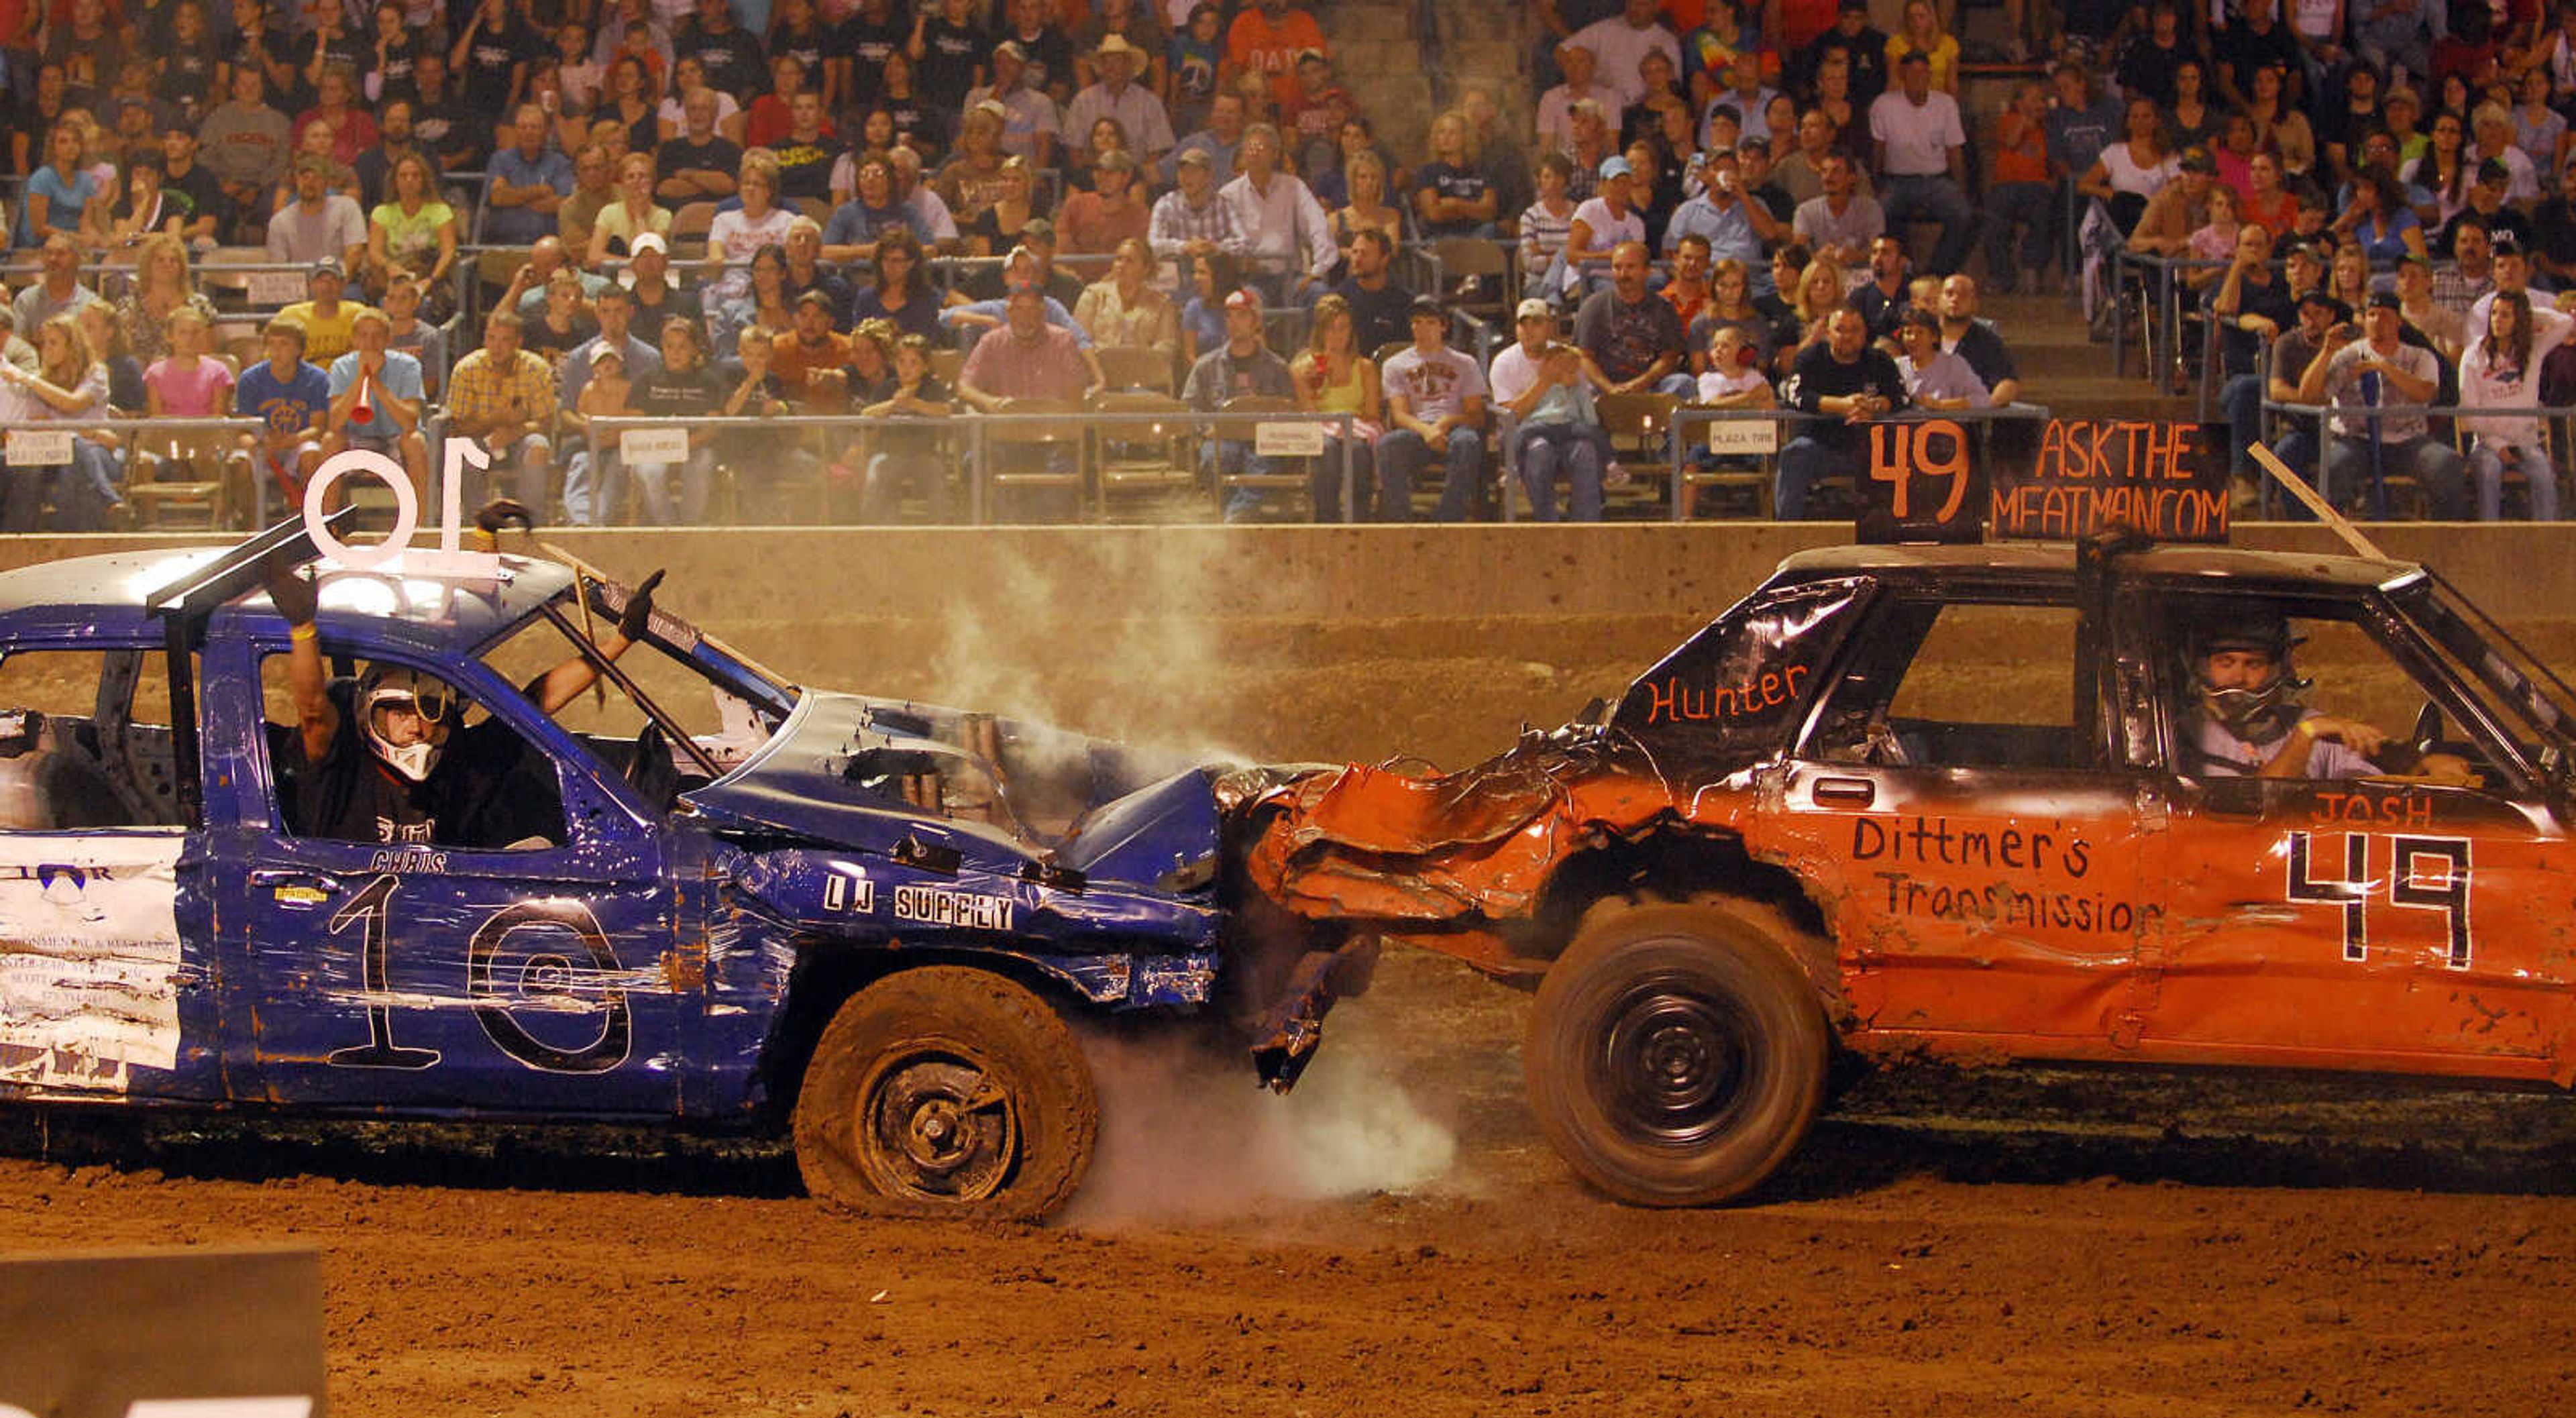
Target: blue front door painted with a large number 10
403 977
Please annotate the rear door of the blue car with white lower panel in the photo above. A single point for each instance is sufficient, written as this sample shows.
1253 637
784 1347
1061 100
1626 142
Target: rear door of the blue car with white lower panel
102 990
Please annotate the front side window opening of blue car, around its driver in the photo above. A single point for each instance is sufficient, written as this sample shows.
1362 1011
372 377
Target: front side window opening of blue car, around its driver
488 791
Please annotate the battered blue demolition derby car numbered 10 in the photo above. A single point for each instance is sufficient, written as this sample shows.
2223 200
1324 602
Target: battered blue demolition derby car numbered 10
692 894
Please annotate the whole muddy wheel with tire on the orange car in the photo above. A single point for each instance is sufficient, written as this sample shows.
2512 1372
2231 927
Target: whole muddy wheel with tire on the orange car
1676 1054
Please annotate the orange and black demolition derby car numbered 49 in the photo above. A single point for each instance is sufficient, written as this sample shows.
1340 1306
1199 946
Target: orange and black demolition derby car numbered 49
1987 804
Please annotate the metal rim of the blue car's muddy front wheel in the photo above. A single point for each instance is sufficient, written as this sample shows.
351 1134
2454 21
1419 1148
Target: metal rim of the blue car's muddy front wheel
936 1126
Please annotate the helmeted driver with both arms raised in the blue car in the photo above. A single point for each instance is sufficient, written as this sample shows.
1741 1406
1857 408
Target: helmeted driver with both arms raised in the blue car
390 755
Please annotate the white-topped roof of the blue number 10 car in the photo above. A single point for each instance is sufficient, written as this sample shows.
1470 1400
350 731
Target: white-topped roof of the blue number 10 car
104 596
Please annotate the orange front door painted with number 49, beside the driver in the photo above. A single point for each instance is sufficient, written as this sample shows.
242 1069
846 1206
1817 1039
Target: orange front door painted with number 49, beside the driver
2356 923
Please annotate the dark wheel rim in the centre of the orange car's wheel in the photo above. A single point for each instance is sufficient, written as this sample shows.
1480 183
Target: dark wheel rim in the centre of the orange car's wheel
1678 1062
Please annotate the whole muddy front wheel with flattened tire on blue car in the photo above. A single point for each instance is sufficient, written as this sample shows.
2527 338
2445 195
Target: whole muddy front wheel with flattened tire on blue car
947 1092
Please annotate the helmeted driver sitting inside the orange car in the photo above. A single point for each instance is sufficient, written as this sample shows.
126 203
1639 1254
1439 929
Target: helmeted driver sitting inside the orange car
2250 717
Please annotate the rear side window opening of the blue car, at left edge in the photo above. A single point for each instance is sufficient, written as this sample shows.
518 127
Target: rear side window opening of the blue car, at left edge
86 740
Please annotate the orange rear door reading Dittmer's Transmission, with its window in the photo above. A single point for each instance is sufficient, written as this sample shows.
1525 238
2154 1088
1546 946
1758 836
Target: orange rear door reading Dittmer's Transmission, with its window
1982 874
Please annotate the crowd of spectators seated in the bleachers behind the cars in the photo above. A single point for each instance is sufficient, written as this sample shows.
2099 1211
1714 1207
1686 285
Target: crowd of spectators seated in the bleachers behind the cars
537 223
